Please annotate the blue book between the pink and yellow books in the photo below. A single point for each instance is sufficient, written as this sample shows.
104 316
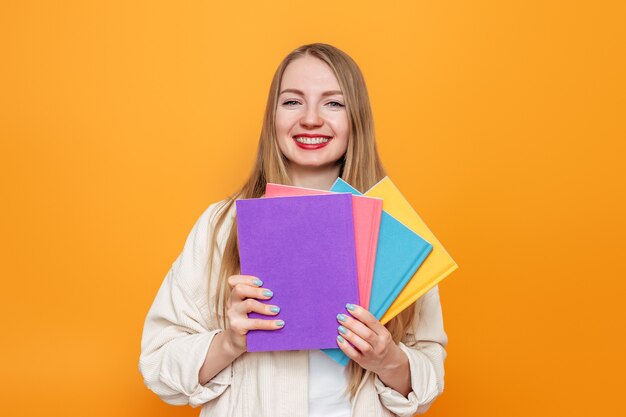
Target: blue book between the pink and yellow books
400 253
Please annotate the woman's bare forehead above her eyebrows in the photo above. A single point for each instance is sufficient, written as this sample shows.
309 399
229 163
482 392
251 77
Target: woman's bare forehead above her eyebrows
309 74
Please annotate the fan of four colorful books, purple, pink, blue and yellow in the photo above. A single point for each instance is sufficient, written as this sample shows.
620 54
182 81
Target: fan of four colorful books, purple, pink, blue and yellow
319 250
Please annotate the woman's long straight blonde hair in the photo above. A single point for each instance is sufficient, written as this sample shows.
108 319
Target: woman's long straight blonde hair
360 166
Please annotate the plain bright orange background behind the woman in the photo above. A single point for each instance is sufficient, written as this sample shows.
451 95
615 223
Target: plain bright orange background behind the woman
502 122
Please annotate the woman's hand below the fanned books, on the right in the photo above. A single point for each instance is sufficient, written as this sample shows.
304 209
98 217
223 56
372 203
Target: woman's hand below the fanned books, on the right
371 344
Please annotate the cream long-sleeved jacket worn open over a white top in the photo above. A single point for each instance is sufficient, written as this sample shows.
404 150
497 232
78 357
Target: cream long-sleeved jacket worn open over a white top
181 324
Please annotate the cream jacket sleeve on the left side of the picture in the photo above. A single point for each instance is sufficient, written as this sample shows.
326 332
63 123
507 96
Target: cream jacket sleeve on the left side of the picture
176 334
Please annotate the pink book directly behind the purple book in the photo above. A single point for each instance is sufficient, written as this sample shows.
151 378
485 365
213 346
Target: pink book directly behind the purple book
367 212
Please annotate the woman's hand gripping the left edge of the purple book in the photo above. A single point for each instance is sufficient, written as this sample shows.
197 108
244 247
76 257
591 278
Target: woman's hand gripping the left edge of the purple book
245 291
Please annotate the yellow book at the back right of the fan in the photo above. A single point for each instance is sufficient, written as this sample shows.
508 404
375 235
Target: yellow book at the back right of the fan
438 265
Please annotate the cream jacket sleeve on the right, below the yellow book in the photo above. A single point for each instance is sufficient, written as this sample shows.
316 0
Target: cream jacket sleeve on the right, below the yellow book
425 346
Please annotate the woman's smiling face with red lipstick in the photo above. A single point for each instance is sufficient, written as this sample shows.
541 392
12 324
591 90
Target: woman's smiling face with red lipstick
312 125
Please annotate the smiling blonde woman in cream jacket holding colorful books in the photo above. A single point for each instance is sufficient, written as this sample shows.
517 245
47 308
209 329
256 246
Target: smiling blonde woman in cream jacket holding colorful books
318 126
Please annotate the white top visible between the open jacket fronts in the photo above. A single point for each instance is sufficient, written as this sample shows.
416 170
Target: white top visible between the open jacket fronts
327 387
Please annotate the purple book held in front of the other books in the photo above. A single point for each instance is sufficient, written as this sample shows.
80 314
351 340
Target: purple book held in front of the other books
303 249
